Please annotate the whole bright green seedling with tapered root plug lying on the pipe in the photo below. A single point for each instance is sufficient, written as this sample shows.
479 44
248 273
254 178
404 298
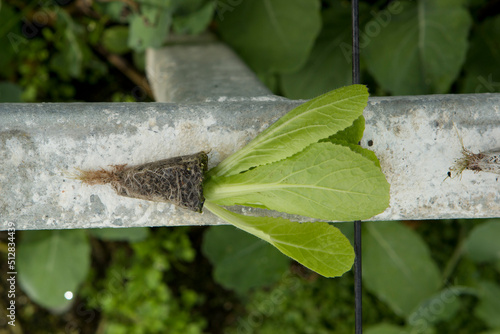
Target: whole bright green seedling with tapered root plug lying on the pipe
308 163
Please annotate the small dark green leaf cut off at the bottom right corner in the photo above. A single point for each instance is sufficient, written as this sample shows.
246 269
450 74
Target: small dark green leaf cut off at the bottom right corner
489 304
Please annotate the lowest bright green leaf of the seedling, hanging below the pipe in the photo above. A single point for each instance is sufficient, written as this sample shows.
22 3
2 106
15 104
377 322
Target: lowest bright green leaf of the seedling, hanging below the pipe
318 246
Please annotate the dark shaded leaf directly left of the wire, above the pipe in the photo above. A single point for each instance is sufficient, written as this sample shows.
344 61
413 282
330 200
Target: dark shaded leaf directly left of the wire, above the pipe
328 67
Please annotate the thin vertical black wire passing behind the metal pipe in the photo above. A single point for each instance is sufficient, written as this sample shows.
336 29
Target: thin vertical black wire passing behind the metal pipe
358 310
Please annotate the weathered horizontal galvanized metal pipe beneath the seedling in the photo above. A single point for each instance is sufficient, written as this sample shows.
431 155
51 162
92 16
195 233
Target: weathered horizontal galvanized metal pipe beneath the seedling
414 138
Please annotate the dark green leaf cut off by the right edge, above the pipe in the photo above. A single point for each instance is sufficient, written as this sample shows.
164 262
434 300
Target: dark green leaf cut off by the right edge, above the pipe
482 66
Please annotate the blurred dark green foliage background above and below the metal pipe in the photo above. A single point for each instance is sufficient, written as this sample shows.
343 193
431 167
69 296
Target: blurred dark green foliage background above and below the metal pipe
420 277
